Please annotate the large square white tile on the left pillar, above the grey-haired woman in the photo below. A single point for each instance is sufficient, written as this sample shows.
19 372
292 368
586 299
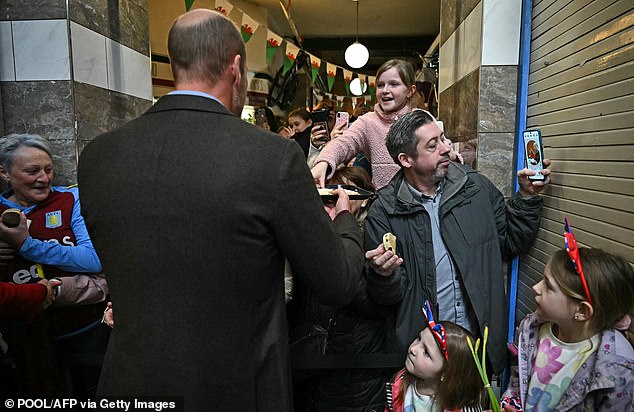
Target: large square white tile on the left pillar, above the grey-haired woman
40 49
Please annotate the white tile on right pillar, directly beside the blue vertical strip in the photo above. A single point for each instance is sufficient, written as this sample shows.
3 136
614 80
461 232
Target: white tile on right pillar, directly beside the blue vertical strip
501 32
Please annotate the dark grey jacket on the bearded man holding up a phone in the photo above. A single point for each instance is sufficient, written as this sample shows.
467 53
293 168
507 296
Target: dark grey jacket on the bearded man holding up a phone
478 229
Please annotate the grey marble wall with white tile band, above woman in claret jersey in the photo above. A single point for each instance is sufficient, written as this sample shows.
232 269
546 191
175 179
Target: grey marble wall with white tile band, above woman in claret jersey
106 83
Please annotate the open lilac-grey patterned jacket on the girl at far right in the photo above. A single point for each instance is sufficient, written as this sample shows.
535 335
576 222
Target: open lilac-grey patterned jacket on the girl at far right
604 382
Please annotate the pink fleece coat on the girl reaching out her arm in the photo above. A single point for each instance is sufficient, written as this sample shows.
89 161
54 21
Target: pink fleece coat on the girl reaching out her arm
366 135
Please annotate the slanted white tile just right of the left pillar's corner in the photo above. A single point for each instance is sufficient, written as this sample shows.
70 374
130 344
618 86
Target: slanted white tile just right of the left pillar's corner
89 56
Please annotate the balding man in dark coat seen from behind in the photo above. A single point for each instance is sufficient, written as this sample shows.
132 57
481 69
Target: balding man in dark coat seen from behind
192 211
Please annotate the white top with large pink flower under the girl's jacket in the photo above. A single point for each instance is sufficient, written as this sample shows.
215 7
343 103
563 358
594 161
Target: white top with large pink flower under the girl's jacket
554 365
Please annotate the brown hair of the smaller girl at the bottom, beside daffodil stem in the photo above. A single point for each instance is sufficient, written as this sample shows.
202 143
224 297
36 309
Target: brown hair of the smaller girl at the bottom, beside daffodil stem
461 385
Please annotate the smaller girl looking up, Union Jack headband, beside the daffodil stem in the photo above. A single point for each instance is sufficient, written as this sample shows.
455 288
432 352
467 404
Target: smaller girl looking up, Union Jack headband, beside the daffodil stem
439 372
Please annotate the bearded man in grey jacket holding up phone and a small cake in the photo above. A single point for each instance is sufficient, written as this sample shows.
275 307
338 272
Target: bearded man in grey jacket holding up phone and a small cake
453 230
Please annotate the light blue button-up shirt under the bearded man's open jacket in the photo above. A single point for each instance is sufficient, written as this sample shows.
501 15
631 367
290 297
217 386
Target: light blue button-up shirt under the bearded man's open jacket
449 289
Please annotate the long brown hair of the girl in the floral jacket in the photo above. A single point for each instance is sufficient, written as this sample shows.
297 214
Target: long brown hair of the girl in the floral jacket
610 281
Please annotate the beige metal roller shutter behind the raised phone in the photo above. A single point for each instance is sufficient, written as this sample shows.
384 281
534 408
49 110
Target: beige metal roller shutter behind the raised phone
581 96
